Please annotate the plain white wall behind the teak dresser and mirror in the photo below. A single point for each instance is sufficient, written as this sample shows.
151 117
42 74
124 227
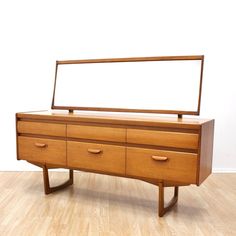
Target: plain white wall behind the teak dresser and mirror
34 34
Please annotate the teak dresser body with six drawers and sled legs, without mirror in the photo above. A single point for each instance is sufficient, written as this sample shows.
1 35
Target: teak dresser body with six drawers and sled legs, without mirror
164 151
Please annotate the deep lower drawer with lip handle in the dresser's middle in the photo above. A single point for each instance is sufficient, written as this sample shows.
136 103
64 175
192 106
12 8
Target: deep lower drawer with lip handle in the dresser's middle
93 156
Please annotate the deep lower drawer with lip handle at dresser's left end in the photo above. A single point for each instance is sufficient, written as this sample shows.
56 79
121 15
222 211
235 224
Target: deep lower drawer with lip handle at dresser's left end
42 150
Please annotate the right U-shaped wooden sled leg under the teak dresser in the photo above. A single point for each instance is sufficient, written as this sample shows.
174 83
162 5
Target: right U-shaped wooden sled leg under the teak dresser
163 209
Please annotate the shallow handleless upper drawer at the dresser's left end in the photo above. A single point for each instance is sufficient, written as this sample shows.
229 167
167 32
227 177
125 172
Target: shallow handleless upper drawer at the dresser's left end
41 128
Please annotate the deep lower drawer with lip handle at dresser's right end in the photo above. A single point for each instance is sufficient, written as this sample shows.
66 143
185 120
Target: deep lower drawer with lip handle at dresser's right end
178 166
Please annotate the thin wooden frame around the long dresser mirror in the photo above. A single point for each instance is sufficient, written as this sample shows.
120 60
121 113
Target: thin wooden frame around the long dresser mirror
132 59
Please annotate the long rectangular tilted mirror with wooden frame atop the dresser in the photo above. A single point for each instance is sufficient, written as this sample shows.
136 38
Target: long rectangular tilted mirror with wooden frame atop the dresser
170 85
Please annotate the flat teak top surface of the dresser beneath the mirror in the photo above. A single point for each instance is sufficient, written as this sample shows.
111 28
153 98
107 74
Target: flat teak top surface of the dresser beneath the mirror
114 118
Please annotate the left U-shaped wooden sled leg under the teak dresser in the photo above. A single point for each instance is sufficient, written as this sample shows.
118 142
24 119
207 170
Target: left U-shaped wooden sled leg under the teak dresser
48 189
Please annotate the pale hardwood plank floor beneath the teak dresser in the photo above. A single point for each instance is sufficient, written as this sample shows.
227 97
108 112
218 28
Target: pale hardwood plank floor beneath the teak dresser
106 205
